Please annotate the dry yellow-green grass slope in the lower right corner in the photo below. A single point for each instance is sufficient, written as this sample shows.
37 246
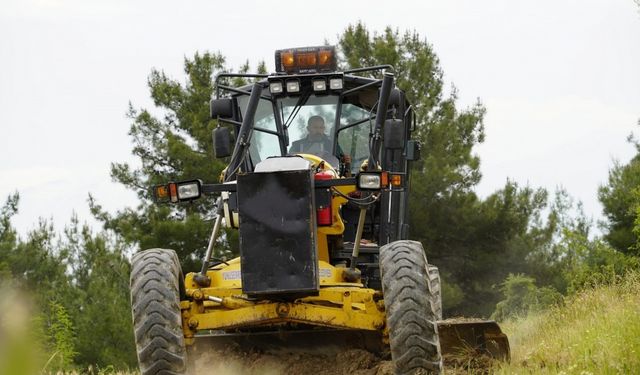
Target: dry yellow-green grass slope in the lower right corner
595 332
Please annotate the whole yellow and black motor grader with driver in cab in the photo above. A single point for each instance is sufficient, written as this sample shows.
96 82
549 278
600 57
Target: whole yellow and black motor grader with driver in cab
323 228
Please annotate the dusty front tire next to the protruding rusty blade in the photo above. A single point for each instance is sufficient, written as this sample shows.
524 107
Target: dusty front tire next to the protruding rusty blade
410 310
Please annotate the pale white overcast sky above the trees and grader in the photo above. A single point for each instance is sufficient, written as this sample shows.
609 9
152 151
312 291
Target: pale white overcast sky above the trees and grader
560 81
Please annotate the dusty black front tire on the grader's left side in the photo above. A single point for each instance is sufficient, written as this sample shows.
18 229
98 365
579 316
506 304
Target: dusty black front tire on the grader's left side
155 305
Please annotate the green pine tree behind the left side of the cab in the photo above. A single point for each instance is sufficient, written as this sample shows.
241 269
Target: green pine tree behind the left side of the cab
172 144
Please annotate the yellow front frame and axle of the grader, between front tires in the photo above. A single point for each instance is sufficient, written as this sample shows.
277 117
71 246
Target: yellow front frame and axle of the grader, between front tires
339 304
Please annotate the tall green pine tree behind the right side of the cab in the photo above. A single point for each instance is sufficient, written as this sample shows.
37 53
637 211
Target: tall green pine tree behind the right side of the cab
474 242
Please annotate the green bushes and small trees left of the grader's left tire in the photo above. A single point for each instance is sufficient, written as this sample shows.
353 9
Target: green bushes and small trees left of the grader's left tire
72 295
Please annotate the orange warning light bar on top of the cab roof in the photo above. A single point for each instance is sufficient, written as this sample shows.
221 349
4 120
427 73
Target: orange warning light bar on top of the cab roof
306 60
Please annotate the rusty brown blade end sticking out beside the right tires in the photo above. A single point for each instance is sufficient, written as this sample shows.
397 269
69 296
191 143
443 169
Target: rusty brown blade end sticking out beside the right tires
472 338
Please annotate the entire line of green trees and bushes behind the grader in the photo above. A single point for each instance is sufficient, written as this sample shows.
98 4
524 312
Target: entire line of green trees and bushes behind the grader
518 249
